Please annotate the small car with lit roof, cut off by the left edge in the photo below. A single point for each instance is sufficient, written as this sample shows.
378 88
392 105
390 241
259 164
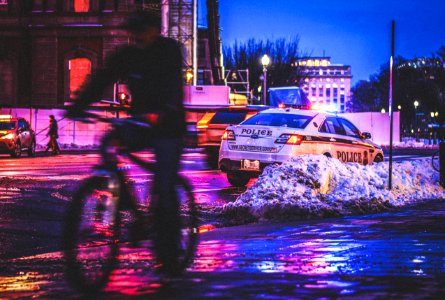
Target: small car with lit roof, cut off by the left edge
16 136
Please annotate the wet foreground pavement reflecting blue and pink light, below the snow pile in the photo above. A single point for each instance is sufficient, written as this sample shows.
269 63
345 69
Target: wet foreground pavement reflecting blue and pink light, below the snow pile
393 255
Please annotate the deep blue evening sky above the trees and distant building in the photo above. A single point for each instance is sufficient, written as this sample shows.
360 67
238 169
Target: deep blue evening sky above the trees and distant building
355 33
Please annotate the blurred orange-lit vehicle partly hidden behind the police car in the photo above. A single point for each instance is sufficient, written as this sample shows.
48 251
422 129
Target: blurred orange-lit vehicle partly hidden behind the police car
213 123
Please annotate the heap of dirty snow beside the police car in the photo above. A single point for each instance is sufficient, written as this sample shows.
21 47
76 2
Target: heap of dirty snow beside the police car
317 186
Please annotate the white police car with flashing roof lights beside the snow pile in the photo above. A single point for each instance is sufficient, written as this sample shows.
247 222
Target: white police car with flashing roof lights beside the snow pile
275 135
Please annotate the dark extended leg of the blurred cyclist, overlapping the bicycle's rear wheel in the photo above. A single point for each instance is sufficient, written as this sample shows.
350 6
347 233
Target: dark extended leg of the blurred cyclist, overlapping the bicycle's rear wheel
167 220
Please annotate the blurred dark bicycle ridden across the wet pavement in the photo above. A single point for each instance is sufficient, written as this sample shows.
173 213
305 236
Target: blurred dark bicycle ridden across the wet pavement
93 229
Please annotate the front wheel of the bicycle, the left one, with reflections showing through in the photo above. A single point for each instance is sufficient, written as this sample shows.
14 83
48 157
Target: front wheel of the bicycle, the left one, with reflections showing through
91 232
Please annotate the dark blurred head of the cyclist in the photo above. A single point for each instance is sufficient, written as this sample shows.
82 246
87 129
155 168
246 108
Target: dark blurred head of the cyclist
144 27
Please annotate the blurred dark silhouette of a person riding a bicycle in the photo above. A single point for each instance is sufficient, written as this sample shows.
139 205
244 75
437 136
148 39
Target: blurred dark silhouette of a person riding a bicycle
152 67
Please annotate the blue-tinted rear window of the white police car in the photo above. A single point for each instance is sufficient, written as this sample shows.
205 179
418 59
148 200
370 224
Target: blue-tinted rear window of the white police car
279 120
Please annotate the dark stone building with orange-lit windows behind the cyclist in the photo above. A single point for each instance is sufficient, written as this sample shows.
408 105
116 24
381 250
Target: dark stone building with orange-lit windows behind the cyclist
49 47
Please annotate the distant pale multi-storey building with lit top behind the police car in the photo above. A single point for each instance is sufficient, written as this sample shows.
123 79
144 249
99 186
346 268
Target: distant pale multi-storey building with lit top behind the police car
326 85
